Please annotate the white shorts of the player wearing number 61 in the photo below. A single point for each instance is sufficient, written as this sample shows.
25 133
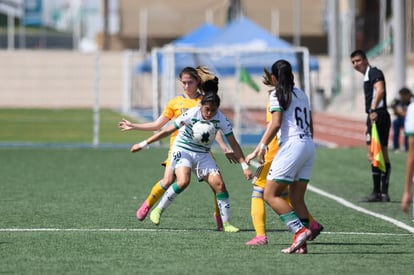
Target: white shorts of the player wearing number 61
293 161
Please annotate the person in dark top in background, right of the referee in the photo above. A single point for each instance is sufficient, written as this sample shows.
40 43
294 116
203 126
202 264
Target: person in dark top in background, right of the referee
399 106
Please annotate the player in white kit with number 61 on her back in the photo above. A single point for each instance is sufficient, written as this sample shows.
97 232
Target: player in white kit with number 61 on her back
292 165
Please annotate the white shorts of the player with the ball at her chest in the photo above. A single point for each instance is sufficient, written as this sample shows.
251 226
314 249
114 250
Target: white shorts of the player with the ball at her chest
202 164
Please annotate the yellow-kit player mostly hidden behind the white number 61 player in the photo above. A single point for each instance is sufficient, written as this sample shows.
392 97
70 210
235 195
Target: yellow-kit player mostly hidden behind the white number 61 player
258 211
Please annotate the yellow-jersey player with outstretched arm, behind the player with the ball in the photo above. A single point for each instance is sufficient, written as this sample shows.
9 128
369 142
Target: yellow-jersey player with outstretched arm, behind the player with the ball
192 80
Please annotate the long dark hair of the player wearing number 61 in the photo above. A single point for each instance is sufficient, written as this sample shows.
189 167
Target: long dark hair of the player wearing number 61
282 70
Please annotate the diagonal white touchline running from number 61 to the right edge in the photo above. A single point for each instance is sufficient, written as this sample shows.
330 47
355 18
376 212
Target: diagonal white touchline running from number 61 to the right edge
360 209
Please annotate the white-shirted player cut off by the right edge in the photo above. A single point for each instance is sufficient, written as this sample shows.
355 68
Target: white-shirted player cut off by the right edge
409 174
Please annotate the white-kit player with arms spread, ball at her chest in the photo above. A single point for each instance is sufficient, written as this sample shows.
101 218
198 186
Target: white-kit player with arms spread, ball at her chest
189 156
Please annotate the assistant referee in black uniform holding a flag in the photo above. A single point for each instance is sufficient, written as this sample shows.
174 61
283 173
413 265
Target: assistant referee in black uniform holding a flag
376 109
